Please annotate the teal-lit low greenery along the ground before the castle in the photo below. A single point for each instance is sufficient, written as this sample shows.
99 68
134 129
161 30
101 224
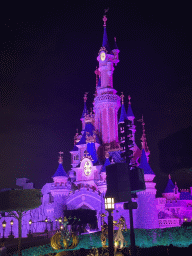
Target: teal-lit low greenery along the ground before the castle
179 237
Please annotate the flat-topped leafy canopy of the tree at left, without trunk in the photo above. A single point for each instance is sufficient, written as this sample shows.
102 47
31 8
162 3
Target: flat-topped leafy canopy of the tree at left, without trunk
20 200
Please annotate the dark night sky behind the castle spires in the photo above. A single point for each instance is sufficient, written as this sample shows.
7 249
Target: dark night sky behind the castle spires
48 57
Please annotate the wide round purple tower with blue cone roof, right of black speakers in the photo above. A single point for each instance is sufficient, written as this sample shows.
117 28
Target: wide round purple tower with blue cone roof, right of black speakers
147 213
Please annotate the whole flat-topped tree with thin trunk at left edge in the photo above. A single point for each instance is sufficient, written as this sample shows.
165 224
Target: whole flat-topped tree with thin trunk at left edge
15 203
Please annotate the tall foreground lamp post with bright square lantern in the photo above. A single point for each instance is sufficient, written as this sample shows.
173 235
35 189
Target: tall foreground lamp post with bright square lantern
109 206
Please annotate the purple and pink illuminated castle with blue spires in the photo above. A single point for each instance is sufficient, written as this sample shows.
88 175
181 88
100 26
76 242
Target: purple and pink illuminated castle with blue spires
84 186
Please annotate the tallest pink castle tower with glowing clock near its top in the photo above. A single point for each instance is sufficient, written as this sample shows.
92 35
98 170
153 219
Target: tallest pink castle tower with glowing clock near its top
106 101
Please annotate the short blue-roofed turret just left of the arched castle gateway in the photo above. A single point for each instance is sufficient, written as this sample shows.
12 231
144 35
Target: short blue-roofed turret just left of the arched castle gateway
60 189
